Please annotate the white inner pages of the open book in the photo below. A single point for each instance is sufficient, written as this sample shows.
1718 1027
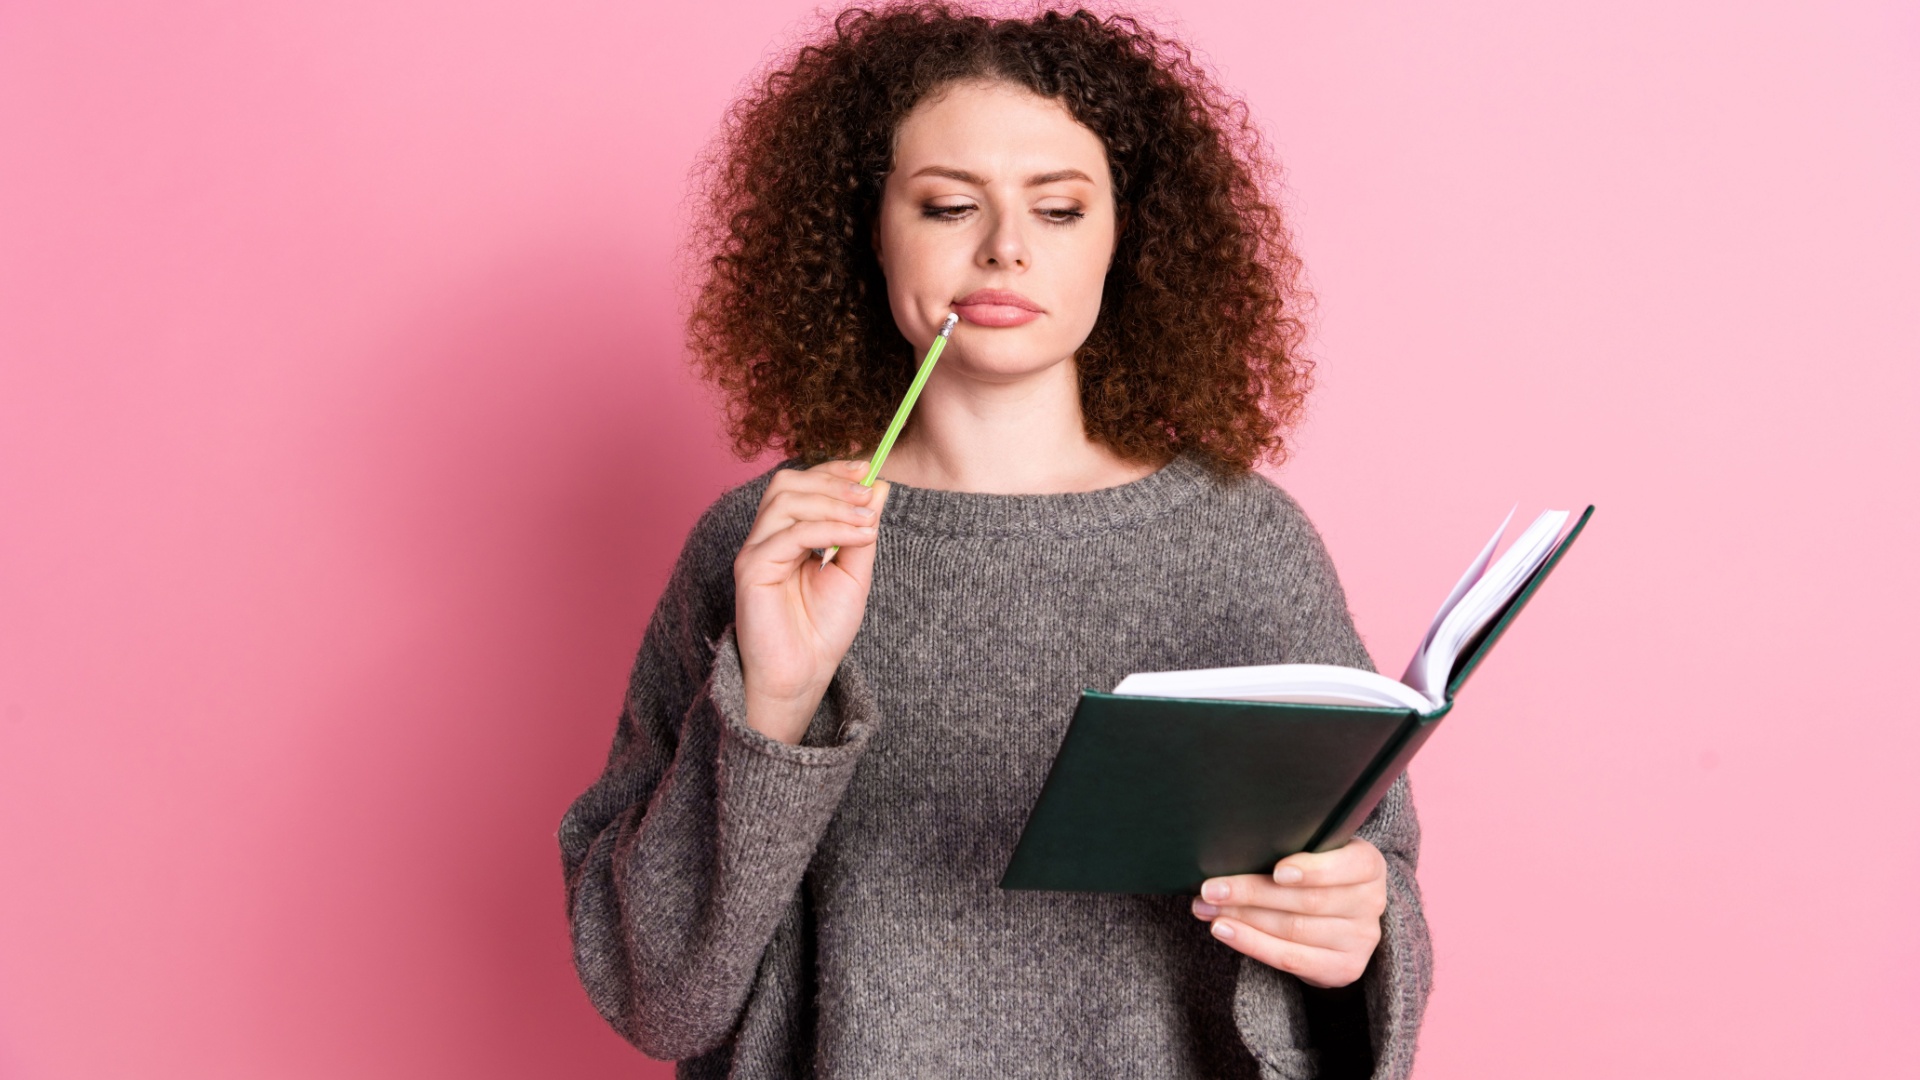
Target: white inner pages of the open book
1483 593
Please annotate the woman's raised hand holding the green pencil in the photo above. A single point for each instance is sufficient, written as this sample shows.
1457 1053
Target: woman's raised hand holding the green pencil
794 616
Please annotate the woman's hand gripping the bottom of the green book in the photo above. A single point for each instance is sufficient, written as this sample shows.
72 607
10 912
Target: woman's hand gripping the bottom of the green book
1316 916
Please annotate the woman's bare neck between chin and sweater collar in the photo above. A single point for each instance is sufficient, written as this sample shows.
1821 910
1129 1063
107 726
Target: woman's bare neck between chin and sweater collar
1005 437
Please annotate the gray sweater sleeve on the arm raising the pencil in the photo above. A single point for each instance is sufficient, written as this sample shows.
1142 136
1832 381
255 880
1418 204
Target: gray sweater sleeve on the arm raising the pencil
684 856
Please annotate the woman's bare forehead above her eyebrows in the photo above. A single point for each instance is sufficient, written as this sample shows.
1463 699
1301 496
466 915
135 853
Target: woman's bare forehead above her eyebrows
996 130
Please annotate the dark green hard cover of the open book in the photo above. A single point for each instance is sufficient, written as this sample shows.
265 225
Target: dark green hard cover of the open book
1161 795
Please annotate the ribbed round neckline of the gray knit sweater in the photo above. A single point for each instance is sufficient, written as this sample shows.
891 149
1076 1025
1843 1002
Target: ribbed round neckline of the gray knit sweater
1063 514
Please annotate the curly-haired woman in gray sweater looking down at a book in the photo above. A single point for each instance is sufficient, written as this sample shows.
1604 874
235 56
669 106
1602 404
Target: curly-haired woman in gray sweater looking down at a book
790 864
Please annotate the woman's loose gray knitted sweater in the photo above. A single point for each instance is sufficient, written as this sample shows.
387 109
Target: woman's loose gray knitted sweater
830 910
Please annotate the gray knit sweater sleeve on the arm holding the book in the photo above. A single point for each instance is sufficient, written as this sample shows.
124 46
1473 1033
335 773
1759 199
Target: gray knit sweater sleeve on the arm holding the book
1270 1006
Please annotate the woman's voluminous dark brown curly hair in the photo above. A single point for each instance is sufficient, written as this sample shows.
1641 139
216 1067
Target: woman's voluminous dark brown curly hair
1197 345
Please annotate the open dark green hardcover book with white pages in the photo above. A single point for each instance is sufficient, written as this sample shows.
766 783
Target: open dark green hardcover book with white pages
1184 775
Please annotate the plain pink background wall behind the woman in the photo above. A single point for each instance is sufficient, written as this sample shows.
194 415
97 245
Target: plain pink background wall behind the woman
345 443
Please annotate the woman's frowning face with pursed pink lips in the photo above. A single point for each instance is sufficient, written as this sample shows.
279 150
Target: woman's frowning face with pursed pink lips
1001 210
